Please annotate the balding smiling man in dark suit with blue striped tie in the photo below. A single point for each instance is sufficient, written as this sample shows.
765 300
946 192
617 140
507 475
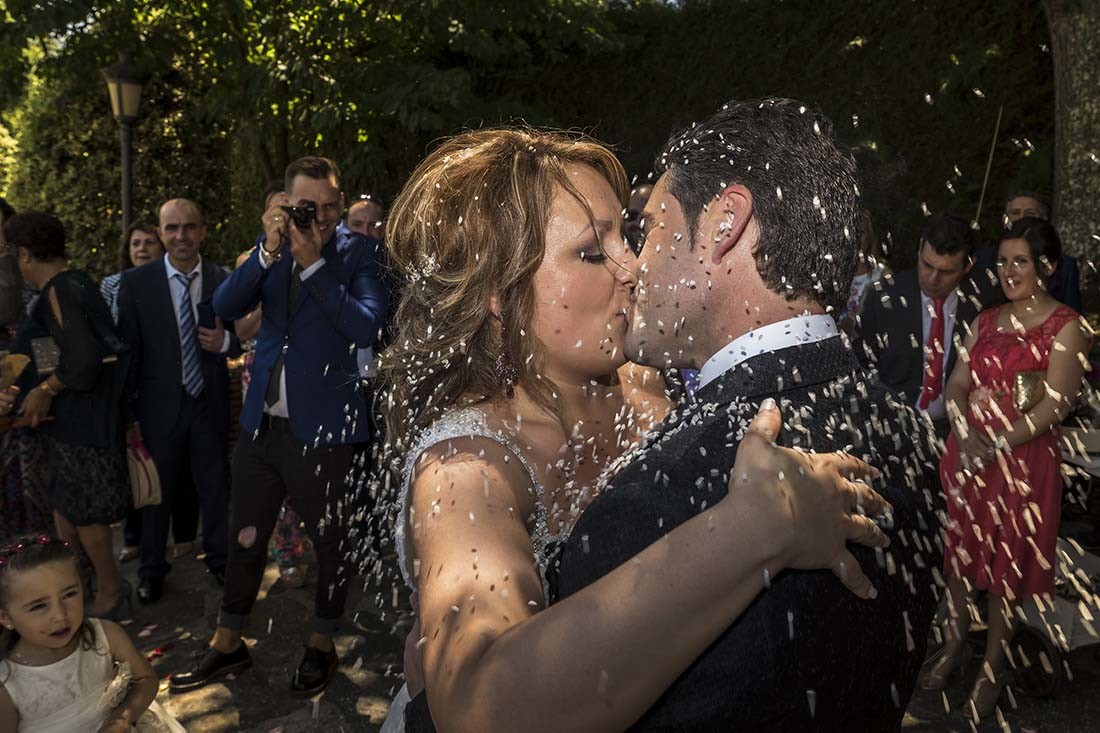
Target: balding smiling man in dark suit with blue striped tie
180 387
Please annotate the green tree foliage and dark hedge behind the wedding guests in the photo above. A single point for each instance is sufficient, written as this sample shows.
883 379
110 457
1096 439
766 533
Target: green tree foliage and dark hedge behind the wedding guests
241 87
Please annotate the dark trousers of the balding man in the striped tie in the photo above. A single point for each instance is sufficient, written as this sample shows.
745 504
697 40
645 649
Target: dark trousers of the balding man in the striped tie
195 441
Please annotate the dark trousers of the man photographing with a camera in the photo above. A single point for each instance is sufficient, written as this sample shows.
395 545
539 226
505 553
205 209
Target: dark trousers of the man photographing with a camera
270 466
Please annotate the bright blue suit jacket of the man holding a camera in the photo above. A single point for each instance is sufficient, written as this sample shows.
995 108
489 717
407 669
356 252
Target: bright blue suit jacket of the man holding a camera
342 308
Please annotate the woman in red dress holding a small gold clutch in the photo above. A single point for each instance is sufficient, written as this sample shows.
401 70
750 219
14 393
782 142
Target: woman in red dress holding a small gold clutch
1002 469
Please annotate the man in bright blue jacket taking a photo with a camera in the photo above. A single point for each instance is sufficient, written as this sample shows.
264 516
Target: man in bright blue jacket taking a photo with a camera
304 415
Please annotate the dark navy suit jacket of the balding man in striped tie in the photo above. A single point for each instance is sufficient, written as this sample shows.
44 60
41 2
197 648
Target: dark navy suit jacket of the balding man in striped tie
148 324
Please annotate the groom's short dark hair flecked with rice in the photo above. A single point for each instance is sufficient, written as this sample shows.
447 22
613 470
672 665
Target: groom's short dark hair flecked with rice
806 194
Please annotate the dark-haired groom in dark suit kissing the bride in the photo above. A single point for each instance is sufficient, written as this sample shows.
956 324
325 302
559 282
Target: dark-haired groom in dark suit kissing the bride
751 243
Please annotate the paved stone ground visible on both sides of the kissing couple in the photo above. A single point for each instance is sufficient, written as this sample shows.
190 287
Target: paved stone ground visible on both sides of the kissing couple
370 664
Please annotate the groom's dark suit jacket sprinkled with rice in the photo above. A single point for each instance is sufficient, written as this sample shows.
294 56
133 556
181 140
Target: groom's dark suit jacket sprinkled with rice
807 655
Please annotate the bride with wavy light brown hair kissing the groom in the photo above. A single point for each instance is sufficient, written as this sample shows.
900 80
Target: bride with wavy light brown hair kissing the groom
508 396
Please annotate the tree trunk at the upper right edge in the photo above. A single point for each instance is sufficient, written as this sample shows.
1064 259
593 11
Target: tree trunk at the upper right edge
1075 37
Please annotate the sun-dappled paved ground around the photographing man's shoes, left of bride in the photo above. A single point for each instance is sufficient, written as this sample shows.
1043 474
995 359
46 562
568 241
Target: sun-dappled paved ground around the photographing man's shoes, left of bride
259 702
